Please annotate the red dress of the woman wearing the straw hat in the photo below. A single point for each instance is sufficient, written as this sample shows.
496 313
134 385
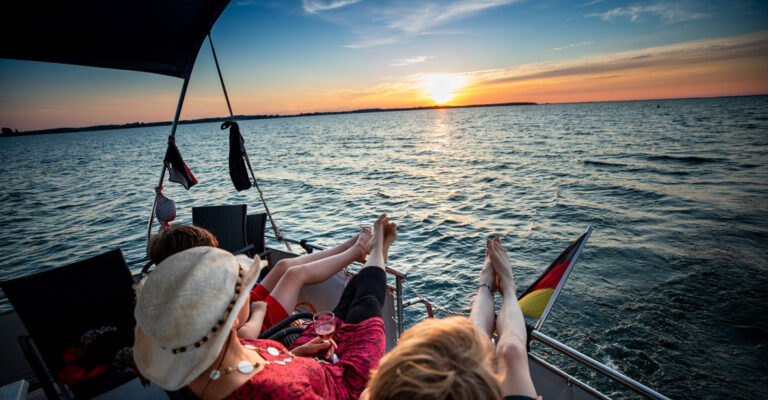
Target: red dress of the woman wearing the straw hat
361 346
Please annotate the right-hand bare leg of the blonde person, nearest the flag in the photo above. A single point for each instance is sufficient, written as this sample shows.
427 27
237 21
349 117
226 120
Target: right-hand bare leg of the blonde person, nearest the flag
511 351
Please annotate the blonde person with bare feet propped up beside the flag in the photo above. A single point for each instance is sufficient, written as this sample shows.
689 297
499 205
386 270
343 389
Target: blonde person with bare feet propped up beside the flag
453 358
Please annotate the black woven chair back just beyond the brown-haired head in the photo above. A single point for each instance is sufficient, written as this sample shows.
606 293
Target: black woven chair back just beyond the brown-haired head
227 223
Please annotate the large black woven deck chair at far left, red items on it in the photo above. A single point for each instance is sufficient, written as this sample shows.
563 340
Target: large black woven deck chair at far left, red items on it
57 306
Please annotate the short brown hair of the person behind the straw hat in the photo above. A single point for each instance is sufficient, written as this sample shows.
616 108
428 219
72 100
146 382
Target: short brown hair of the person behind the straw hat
176 238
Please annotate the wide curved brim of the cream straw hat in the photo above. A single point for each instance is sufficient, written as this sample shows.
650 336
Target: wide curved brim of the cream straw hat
173 371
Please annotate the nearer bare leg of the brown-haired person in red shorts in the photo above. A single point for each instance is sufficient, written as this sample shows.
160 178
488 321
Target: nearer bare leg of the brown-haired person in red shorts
286 291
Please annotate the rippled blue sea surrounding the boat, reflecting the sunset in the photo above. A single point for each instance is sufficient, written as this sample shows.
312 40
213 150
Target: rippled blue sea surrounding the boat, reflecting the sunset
671 288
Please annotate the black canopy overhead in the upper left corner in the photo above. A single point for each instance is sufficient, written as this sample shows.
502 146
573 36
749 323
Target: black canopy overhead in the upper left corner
159 36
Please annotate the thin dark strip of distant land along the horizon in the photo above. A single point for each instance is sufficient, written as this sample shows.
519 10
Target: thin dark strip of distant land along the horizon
244 118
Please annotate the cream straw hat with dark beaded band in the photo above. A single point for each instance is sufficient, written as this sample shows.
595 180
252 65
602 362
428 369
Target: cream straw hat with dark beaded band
185 310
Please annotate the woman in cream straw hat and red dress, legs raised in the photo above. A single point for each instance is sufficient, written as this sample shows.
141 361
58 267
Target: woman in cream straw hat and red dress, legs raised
187 310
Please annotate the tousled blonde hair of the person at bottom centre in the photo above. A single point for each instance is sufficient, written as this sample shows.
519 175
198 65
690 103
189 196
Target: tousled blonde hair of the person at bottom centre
437 359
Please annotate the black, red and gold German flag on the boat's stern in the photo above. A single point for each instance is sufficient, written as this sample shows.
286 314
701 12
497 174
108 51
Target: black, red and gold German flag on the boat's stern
539 295
